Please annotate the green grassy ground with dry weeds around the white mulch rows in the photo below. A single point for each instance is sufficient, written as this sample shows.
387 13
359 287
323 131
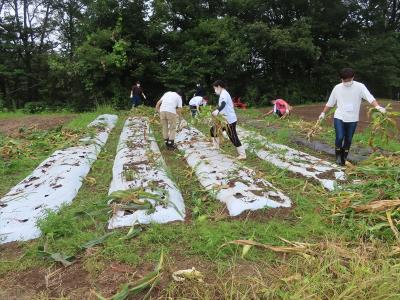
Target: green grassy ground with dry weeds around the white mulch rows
337 252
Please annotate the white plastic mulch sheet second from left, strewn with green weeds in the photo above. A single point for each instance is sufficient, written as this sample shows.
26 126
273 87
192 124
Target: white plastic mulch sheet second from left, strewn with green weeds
139 165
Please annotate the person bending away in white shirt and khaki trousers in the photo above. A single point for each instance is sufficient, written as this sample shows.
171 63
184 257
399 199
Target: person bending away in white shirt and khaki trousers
169 107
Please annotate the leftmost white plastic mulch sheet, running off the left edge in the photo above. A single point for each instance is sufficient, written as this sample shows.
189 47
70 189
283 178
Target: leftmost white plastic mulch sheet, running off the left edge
55 182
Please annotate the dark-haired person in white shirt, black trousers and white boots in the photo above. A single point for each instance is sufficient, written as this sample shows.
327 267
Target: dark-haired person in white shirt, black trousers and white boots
226 109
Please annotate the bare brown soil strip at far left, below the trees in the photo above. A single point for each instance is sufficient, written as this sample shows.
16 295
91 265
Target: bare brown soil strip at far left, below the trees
11 127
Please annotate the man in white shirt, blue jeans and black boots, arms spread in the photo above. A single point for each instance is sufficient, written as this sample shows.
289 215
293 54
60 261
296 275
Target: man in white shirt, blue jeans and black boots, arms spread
347 96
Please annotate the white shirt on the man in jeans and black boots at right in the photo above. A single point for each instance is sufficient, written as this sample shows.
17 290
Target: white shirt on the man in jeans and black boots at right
348 100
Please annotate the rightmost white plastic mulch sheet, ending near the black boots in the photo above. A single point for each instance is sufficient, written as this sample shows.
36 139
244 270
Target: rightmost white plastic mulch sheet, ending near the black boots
293 160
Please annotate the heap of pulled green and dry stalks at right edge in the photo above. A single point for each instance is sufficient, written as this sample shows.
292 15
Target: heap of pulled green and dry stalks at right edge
370 205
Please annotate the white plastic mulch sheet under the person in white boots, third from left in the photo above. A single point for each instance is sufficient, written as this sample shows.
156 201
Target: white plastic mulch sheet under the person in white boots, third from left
235 185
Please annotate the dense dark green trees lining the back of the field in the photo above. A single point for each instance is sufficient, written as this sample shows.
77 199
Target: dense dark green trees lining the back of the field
78 53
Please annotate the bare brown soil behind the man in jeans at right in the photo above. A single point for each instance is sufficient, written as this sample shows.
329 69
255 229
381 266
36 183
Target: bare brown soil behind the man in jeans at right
311 113
